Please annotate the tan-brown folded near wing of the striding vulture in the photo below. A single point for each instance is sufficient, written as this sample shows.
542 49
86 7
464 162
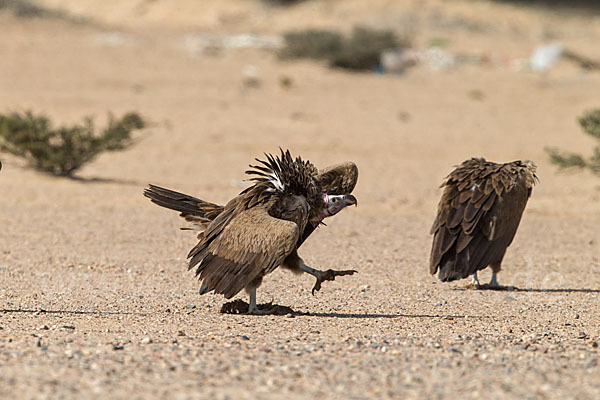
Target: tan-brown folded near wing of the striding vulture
241 245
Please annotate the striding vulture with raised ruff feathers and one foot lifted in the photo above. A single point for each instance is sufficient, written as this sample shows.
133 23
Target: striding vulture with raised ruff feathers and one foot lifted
263 227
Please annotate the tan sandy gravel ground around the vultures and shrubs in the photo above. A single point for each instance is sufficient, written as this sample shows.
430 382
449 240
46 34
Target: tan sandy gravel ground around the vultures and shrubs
95 299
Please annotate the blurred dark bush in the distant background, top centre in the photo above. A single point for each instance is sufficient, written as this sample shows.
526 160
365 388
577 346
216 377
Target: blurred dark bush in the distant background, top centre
360 51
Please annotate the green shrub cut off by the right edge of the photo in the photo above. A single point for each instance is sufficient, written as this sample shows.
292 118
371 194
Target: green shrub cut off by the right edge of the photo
590 123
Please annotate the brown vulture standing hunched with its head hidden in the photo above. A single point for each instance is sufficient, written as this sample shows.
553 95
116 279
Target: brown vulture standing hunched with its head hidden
477 217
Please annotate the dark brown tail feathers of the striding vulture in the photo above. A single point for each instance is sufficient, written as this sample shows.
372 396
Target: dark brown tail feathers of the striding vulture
191 208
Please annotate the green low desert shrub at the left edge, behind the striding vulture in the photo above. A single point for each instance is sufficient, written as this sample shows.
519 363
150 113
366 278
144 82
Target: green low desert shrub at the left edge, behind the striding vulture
62 151
